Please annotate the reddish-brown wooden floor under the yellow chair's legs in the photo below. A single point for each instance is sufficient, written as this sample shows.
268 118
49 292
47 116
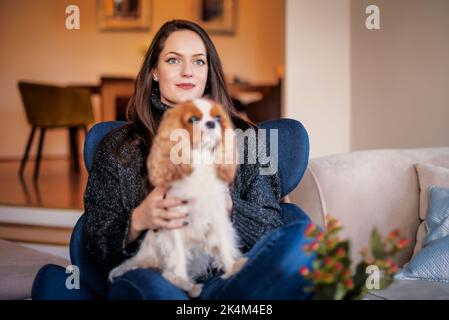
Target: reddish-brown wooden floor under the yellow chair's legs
58 185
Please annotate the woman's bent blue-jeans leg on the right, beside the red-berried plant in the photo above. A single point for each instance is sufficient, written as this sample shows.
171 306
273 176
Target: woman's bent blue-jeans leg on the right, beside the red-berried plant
272 270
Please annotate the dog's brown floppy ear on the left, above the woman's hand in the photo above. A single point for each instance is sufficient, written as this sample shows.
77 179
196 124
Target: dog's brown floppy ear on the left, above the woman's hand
160 167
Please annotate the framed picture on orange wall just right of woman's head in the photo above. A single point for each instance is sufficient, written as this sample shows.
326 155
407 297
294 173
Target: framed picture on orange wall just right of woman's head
216 16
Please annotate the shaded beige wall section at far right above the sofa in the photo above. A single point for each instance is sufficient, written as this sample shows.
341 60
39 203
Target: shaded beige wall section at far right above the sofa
400 75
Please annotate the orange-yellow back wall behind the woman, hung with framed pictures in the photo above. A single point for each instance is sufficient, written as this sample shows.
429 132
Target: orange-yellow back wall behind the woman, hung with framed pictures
36 46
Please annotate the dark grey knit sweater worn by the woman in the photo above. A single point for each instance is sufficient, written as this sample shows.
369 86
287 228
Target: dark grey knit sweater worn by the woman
115 187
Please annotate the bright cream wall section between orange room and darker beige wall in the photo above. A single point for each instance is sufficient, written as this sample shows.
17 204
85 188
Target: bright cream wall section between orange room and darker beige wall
317 85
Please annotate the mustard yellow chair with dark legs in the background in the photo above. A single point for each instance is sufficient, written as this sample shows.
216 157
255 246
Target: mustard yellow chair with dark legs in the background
49 107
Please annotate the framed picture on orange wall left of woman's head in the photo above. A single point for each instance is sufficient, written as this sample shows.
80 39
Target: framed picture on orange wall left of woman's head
123 15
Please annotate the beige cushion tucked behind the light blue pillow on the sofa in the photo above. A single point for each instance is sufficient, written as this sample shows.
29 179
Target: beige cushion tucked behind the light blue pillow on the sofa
428 175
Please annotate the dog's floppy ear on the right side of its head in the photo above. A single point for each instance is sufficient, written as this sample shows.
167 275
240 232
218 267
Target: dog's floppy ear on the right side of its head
226 153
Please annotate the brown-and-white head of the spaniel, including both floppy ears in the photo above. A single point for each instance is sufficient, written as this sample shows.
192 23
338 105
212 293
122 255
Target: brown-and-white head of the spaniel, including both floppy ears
208 127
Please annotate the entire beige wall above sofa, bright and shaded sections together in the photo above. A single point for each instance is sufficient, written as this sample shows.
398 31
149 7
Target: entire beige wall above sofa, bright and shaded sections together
355 88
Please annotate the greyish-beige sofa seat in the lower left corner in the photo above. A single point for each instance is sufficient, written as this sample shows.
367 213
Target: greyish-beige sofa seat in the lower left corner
18 268
